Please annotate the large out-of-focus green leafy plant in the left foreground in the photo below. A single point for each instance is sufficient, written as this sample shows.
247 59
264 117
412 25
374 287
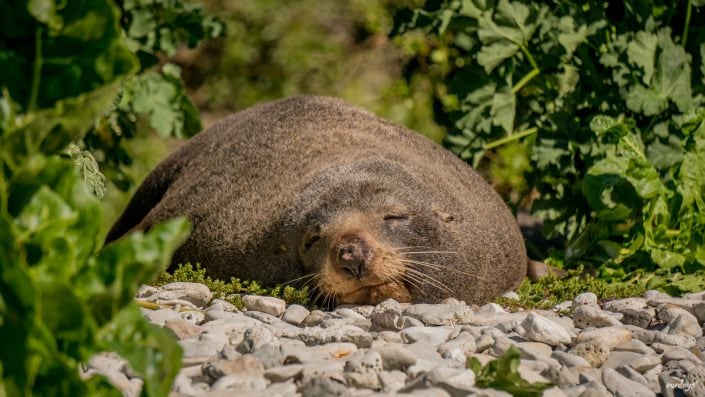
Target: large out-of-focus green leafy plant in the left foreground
63 298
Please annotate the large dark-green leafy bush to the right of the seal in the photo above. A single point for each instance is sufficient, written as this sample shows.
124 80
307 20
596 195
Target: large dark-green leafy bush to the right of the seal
609 98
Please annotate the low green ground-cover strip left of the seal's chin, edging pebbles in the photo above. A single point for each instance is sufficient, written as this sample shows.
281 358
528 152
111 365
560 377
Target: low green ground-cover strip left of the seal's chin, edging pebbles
232 290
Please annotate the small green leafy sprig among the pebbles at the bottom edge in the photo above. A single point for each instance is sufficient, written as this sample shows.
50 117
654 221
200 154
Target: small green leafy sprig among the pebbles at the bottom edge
502 374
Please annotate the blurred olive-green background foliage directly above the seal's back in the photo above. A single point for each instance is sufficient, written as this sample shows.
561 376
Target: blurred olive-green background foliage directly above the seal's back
278 48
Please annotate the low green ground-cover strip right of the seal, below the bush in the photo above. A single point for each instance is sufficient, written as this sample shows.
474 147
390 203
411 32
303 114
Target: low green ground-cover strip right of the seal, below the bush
551 290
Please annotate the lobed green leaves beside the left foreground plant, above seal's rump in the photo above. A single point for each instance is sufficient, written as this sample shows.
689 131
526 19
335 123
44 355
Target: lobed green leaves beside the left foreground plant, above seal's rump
154 31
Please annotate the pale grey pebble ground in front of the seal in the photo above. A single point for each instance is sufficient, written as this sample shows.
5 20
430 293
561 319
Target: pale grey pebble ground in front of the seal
642 346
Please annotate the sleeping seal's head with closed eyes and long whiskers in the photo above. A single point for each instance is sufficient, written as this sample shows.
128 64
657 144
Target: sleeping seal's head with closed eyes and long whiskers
367 239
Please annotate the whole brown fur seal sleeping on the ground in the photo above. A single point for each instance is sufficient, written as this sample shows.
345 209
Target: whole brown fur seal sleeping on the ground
317 190
